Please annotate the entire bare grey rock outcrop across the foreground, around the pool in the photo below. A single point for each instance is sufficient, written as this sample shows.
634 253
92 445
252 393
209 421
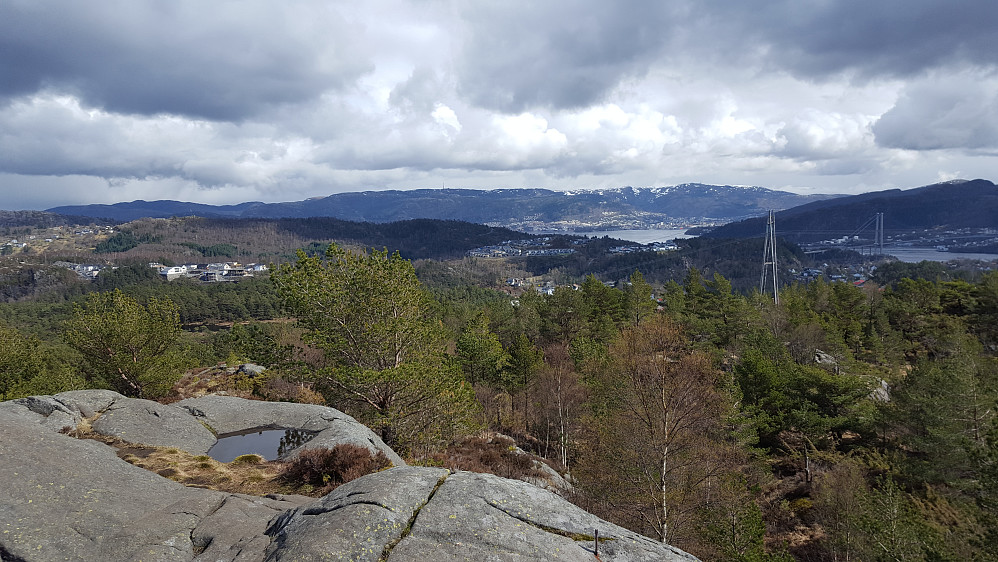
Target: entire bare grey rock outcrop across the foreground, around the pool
64 498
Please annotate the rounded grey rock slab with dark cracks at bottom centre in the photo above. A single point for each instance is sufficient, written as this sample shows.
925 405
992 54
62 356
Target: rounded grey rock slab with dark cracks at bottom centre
431 514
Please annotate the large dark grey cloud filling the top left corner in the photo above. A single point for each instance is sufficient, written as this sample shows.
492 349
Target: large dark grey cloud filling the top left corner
168 57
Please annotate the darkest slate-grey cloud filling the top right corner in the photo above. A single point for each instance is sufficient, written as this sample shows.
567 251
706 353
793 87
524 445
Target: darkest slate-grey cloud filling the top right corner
884 38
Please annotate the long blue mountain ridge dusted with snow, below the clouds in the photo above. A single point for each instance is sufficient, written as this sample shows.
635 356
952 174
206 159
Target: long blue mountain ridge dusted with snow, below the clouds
516 208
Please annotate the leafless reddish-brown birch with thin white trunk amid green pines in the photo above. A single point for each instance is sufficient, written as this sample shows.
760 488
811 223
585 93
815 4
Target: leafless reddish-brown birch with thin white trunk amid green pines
660 428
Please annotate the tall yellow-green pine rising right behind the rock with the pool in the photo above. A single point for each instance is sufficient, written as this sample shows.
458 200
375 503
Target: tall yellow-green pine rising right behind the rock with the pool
372 318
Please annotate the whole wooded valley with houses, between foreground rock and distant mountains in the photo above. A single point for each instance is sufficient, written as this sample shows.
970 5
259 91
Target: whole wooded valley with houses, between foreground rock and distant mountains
821 416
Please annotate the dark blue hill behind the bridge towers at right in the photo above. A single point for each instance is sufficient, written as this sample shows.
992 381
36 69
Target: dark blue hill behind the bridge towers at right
953 204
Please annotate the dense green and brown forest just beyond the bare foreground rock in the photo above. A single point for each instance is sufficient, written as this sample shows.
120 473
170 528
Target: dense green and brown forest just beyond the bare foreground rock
840 423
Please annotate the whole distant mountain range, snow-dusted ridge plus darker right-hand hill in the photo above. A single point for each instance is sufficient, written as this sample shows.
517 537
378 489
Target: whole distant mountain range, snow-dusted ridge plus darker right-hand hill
801 218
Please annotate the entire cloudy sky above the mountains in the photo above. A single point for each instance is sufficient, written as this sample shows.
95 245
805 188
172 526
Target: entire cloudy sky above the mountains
229 101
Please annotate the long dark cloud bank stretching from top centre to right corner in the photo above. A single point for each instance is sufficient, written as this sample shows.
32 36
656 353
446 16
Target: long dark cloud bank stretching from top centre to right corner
571 54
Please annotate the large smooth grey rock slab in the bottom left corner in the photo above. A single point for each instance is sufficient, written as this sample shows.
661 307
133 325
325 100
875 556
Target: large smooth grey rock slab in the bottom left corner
70 499
